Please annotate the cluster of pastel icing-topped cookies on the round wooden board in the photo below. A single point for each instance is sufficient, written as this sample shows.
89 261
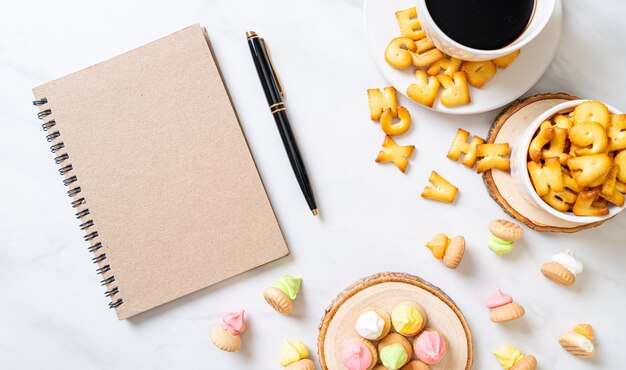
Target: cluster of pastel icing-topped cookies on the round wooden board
400 340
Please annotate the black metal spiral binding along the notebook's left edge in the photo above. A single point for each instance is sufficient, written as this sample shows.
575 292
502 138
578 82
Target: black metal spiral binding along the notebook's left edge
70 178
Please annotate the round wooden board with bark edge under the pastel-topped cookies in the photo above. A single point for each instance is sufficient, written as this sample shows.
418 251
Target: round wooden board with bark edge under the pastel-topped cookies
384 291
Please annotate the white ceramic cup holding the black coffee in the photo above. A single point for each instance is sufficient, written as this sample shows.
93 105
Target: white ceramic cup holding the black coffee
541 15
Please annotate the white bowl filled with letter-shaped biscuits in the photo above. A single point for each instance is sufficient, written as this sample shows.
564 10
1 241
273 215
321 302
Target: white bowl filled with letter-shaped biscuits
519 170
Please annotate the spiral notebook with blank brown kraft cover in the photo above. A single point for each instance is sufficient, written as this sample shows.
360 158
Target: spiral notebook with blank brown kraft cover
159 172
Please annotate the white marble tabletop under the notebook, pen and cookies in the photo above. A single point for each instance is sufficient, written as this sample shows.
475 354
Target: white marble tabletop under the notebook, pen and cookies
53 312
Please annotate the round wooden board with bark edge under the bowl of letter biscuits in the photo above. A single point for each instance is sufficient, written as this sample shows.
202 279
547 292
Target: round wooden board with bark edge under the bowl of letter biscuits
506 128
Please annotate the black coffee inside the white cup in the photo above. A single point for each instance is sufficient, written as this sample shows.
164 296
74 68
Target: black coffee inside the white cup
482 24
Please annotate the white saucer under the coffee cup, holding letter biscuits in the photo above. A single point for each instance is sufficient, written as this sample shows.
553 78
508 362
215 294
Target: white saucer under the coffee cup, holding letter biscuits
507 85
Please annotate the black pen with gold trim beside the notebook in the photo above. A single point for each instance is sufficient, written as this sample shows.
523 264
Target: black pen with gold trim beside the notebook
274 95
